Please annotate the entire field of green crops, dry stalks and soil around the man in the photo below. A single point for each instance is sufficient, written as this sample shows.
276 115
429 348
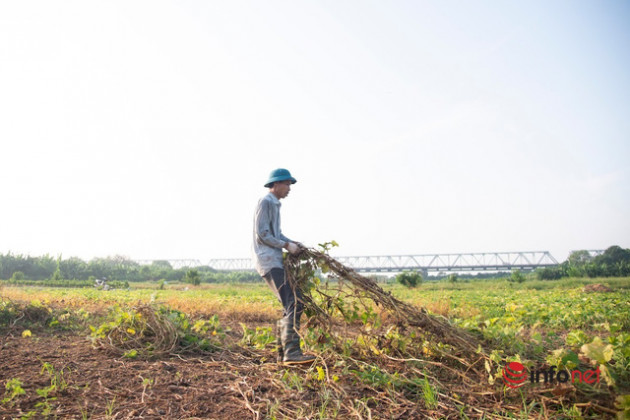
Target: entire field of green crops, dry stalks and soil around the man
228 328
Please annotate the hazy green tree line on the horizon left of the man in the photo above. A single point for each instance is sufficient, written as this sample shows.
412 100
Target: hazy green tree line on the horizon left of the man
29 269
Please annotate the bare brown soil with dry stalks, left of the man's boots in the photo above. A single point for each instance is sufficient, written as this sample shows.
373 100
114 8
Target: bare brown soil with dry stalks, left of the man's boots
103 387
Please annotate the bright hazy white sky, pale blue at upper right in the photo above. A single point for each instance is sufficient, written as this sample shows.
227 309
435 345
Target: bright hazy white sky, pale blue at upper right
148 128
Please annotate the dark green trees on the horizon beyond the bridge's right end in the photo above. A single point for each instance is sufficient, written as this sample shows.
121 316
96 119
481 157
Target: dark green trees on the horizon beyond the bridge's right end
614 262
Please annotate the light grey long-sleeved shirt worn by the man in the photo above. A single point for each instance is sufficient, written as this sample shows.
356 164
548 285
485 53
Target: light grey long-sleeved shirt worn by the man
268 238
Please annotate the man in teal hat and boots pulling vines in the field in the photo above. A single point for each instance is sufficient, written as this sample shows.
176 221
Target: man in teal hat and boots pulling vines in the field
267 248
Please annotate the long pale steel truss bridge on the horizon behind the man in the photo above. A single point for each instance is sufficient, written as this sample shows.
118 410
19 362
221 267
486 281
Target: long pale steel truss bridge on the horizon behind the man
440 263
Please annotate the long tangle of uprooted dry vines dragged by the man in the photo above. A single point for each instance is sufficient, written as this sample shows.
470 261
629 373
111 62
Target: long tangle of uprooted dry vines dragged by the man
353 316
